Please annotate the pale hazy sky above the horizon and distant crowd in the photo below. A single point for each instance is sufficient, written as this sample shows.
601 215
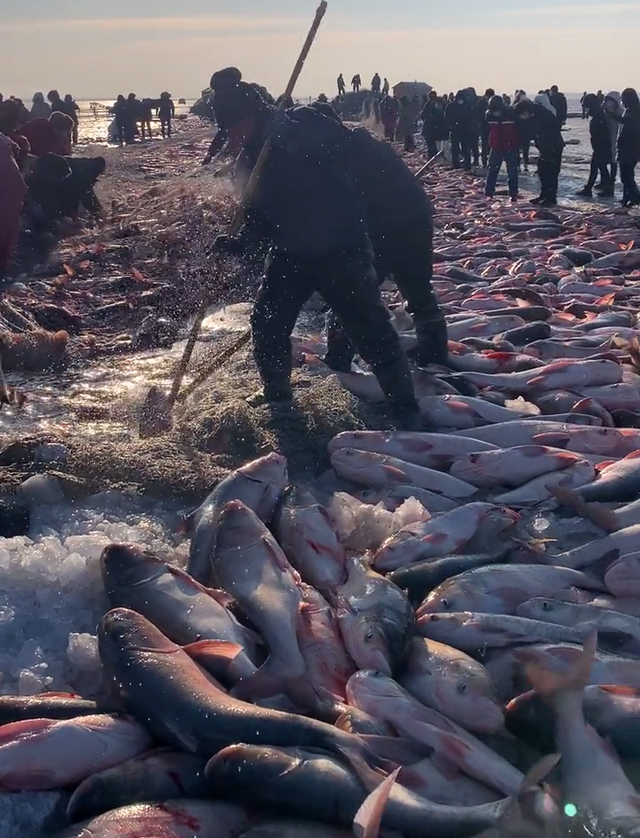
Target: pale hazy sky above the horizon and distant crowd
98 49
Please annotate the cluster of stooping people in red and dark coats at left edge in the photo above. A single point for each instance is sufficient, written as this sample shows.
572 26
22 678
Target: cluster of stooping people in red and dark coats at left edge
41 183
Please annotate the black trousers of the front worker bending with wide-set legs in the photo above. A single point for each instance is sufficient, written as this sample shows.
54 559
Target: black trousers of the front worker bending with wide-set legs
348 283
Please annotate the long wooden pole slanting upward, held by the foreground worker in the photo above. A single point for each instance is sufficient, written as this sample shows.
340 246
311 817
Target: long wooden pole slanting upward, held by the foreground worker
238 217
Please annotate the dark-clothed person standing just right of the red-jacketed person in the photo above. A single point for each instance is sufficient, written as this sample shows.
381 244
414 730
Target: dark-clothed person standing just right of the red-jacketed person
544 128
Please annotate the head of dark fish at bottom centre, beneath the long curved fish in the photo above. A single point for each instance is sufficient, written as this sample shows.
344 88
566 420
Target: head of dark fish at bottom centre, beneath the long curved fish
249 766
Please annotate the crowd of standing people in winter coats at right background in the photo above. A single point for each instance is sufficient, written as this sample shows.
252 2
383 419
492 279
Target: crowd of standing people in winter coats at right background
491 130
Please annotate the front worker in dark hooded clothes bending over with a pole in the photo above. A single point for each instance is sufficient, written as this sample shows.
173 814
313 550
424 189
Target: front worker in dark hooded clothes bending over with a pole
309 210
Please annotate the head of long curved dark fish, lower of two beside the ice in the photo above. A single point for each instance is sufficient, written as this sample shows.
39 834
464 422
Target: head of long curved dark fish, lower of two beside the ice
123 633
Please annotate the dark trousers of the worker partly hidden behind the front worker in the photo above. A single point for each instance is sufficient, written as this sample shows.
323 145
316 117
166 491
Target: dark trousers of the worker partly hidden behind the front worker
408 255
